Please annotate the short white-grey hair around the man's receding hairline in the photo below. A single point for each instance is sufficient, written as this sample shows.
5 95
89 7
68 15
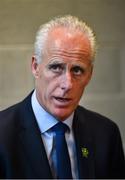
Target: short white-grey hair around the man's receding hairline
67 21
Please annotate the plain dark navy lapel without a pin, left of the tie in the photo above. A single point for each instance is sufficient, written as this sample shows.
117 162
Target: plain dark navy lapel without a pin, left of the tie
32 143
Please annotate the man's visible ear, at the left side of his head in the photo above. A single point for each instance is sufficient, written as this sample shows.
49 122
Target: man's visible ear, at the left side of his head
35 67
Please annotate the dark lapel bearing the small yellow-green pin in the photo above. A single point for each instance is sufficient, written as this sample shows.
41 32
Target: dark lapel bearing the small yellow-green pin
84 147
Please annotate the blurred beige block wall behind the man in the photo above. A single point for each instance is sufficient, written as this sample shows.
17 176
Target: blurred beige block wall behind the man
19 21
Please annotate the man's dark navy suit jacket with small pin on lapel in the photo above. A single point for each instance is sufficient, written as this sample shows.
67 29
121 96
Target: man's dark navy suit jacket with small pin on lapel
22 153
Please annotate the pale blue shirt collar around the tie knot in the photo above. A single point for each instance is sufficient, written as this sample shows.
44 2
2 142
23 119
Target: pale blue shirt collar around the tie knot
44 119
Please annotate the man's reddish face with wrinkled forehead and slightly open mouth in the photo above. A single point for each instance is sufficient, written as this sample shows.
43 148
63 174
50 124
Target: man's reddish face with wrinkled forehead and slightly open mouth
63 73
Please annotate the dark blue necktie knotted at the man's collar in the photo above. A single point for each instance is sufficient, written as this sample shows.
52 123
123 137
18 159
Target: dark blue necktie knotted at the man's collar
62 155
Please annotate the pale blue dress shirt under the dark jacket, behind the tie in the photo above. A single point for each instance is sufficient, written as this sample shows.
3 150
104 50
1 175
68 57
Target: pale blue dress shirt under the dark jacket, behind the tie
45 122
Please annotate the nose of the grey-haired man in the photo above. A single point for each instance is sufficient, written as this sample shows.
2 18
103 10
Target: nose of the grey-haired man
66 81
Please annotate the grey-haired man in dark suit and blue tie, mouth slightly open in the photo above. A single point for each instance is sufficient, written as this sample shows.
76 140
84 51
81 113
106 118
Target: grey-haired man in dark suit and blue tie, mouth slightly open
62 66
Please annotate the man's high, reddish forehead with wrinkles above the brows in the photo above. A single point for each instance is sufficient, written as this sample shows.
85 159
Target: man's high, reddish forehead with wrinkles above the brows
68 43
